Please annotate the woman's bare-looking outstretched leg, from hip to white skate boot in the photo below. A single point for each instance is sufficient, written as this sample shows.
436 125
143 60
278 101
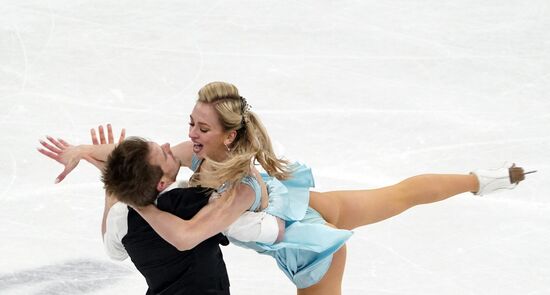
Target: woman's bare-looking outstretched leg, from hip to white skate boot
351 209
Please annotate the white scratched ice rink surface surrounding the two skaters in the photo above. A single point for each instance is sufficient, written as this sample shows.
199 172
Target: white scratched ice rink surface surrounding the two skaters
365 92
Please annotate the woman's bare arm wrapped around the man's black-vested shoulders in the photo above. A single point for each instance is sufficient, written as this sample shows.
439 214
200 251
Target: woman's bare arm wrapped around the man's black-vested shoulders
210 220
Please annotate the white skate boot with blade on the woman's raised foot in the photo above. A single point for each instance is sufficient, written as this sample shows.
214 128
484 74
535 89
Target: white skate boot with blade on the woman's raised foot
506 177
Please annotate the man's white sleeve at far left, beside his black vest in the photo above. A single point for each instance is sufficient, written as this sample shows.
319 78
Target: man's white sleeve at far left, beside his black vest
116 229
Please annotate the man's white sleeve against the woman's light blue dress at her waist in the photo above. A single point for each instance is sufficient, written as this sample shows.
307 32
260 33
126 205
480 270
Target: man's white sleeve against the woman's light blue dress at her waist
254 227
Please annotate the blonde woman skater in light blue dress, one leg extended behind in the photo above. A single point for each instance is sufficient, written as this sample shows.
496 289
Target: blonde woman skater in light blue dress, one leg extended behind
227 138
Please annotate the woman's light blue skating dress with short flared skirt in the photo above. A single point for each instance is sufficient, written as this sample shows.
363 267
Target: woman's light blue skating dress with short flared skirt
305 253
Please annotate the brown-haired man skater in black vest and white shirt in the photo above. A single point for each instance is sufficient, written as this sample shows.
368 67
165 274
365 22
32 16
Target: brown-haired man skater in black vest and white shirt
167 270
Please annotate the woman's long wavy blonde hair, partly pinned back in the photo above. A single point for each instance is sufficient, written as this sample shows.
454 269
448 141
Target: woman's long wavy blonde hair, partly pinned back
252 143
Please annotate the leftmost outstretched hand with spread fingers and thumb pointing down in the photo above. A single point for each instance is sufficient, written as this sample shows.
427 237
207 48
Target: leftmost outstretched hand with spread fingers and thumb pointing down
62 152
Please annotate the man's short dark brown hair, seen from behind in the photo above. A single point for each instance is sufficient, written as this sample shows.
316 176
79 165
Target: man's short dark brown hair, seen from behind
128 174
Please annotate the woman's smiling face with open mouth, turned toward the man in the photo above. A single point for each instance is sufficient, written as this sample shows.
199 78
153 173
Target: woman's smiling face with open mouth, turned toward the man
206 132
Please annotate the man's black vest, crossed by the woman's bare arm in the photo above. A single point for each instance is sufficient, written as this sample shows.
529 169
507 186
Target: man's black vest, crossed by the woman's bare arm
200 270
